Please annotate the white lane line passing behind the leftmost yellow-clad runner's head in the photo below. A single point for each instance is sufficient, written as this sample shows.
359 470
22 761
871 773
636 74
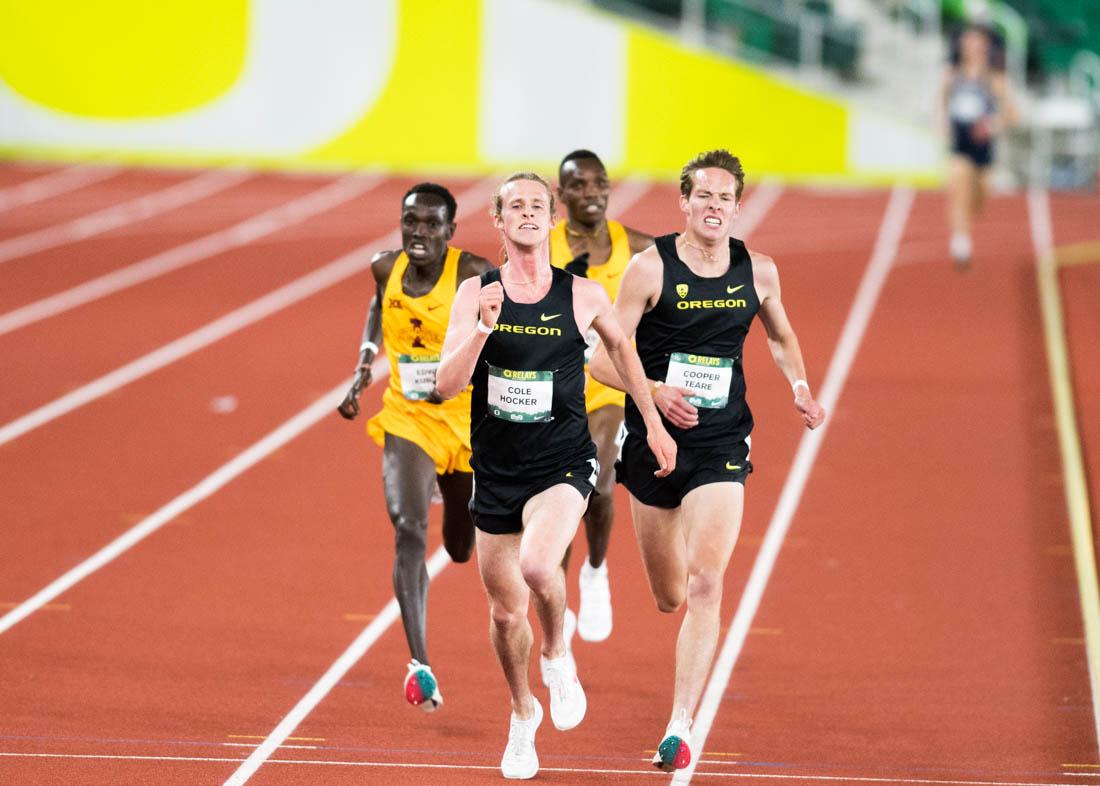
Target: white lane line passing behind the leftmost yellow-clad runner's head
299 290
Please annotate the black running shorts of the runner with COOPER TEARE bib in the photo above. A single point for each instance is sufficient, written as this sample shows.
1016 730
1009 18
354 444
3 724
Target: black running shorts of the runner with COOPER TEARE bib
696 467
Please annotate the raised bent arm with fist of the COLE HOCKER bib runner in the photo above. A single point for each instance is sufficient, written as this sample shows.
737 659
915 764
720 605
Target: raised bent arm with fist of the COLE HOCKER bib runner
476 312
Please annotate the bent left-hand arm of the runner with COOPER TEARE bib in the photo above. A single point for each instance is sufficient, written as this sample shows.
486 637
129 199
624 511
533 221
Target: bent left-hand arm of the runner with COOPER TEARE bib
639 294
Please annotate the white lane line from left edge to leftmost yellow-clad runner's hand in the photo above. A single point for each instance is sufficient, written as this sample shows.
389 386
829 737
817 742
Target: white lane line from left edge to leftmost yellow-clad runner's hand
324 407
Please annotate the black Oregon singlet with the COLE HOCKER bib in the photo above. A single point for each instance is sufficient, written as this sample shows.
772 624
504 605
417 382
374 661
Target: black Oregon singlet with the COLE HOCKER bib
527 409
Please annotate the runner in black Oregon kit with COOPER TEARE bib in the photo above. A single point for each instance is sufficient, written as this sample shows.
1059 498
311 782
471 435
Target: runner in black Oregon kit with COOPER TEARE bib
689 302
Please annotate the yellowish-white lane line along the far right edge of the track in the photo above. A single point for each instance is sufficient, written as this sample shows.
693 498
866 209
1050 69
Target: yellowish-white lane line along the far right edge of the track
1070 440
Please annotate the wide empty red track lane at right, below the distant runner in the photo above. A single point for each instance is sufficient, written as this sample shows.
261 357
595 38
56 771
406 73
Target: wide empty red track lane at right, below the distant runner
927 632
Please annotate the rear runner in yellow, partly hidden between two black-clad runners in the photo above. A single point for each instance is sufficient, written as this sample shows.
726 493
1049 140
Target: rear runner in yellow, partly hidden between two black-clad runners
589 245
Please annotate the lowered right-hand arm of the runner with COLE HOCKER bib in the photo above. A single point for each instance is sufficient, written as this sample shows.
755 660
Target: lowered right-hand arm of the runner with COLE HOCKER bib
597 309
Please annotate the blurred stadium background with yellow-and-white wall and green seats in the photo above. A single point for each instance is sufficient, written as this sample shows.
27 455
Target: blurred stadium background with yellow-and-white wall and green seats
839 90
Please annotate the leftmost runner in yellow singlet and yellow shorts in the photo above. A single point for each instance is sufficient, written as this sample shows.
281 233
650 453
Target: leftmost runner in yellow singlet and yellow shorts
425 440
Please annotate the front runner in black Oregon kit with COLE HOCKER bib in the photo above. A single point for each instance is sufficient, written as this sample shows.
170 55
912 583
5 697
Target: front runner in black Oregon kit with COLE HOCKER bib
519 334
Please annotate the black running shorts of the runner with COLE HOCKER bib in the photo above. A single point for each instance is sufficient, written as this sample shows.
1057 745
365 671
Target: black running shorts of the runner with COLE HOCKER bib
498 505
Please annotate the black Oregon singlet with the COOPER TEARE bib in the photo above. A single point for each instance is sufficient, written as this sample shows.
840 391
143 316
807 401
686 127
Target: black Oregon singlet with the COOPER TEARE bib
694 338
